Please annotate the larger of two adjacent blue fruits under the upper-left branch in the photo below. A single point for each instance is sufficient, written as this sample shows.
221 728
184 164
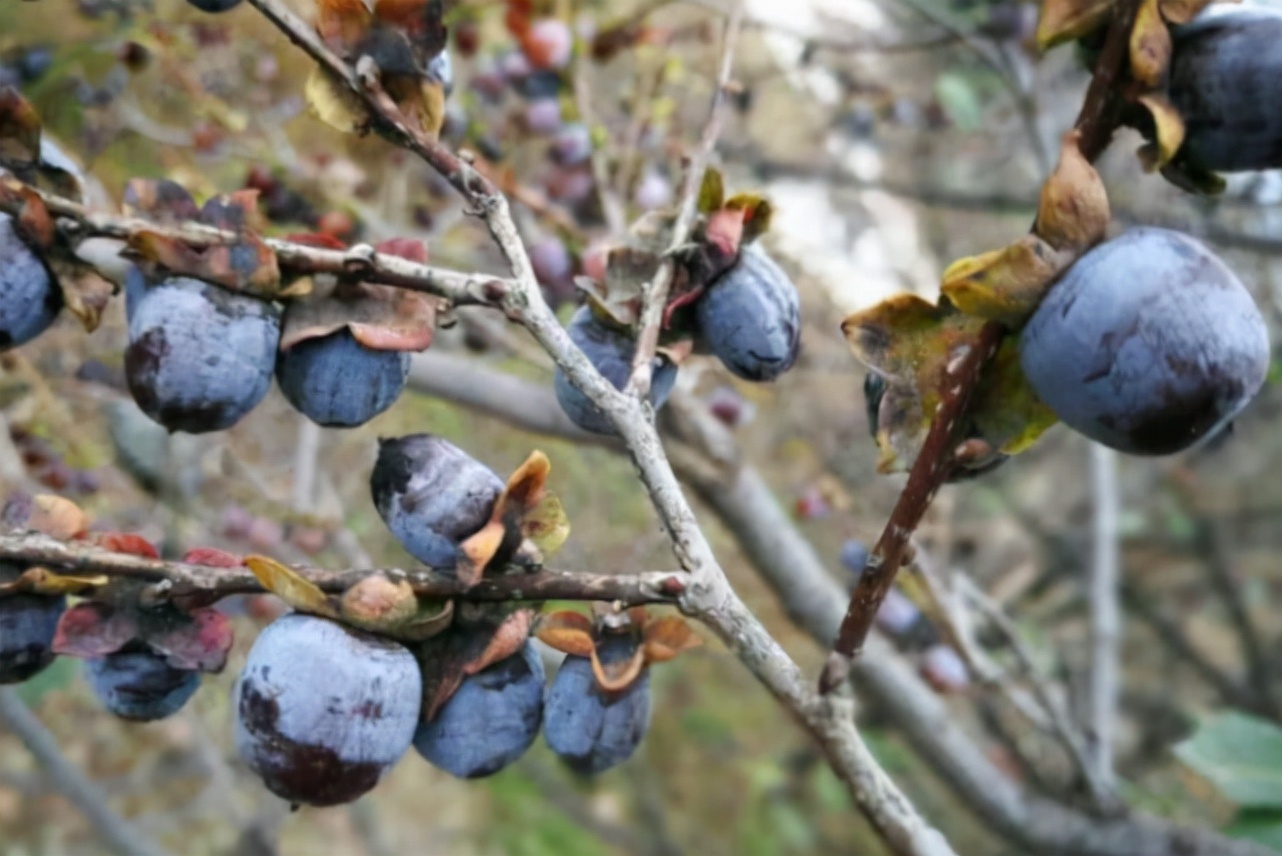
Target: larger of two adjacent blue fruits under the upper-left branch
199 358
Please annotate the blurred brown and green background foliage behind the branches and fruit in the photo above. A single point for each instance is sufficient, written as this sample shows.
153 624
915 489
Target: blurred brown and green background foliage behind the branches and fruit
894 138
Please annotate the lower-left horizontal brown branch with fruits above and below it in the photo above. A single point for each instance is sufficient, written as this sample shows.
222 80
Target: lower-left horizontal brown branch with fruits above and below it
178 579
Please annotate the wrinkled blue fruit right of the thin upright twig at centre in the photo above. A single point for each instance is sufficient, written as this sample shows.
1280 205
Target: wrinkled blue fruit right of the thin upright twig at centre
751 317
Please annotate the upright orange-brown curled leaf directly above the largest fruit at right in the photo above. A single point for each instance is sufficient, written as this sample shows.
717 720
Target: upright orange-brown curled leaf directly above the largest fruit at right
1074 212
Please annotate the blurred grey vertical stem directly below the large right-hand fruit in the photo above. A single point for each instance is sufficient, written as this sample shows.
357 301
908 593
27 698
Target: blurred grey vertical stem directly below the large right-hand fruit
1106 612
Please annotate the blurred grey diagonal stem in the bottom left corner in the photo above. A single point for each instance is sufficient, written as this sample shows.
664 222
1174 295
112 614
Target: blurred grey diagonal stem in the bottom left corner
117 834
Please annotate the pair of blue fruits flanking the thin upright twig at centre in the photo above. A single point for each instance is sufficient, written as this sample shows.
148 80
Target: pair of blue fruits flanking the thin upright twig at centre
749 317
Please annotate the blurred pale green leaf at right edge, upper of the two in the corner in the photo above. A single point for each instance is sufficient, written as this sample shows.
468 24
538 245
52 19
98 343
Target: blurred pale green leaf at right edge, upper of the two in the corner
1243 758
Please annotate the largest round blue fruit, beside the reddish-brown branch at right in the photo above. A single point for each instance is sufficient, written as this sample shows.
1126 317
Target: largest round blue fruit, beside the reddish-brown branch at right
1147 345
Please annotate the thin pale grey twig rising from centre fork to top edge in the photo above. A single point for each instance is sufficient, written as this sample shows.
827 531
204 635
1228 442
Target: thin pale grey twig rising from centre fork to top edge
656 294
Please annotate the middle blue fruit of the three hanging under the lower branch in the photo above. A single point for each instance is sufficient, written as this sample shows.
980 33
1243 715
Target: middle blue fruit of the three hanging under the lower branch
490 722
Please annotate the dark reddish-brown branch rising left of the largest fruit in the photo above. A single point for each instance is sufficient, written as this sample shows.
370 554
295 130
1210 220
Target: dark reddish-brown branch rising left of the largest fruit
1098 120
